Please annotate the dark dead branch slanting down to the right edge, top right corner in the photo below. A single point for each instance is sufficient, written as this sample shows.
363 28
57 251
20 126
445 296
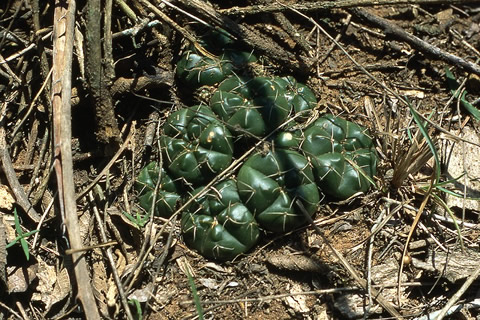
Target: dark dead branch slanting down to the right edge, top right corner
419 44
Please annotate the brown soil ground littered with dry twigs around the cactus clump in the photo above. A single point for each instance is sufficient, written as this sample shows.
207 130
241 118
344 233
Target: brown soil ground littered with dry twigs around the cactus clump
371 74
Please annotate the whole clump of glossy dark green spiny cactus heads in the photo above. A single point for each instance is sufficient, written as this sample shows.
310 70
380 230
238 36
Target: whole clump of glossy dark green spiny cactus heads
294 168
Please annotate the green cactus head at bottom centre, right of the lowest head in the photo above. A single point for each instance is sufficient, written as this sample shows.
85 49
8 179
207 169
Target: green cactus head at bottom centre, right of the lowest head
269 185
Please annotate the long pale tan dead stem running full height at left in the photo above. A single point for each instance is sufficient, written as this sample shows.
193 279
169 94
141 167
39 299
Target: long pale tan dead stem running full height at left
64 23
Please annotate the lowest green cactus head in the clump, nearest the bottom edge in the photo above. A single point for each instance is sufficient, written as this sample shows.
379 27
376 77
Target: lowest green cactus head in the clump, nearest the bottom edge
218 225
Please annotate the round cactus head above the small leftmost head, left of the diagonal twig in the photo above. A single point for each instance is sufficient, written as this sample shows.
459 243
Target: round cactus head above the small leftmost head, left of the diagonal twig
196 145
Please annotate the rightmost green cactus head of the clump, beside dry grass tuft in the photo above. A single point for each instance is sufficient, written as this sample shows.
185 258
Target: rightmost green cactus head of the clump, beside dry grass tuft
342 154
